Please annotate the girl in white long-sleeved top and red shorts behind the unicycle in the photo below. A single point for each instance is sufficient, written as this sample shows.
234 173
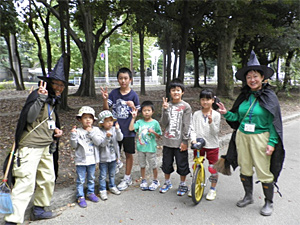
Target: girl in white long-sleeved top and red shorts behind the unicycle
206 124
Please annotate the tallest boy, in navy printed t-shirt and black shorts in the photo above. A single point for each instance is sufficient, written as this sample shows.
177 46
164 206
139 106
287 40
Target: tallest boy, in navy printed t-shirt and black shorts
123 100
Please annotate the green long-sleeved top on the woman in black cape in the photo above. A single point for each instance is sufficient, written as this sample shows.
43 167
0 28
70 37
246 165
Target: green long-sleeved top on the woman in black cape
261 117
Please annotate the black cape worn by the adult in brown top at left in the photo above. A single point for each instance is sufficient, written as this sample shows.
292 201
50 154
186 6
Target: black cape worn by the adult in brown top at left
22 122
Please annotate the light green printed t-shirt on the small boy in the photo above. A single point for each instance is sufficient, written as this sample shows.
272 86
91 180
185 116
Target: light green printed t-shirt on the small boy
146 141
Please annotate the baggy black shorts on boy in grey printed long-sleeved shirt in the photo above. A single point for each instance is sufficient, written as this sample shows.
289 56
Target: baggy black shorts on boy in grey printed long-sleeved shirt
182 161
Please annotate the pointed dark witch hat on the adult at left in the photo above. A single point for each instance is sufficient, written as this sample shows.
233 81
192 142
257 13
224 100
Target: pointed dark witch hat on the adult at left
57 73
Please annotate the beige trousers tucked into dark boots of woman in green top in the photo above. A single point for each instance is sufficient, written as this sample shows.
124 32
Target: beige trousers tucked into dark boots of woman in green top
251 149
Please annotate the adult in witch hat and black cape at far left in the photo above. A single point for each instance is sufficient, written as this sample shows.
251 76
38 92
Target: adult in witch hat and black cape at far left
36 138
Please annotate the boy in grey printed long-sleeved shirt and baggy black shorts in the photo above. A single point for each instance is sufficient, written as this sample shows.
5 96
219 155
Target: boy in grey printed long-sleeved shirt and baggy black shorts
176 118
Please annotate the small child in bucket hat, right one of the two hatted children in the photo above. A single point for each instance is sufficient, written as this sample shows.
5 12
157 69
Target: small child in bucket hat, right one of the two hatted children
109 152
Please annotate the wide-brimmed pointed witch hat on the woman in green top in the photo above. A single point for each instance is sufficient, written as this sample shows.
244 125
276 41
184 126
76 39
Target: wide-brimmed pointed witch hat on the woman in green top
254 64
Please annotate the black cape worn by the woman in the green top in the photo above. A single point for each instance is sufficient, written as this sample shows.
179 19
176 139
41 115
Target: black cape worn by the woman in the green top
268 100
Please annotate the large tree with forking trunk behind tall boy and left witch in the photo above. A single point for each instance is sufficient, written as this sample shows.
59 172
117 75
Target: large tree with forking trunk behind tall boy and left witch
97 20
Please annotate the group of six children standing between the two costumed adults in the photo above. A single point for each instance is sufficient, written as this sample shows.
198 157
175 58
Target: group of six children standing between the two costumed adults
118 128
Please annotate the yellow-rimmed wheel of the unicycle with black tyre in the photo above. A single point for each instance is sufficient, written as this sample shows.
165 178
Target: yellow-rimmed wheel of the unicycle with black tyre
198 184
